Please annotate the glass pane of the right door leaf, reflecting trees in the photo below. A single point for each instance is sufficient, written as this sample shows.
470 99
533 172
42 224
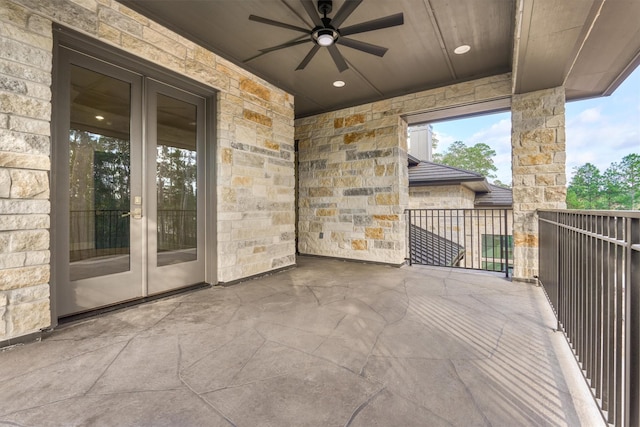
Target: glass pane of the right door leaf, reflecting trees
176 184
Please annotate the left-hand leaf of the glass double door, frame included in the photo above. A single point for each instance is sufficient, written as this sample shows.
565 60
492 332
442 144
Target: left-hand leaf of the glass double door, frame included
98 173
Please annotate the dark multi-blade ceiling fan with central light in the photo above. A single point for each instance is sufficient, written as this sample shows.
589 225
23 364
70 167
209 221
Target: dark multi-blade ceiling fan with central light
327 33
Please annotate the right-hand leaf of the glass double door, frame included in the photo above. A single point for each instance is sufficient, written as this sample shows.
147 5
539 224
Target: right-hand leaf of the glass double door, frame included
175 121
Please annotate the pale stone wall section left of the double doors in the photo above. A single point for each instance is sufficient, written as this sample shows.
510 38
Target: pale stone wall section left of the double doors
25 109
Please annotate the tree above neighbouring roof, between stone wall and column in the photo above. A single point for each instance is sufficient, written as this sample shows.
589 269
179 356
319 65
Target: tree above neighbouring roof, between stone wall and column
477 158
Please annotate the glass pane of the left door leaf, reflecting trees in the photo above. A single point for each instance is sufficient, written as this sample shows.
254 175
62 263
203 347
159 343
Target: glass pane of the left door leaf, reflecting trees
99 175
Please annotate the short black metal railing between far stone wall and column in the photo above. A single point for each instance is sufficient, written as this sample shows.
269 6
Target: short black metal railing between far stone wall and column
477 239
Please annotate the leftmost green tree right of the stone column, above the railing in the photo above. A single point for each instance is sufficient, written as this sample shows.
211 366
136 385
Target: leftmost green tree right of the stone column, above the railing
584 190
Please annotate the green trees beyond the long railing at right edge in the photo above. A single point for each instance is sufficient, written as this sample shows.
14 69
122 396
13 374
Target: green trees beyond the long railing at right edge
617 188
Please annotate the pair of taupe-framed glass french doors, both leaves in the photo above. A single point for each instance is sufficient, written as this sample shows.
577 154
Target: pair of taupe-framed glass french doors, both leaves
129 185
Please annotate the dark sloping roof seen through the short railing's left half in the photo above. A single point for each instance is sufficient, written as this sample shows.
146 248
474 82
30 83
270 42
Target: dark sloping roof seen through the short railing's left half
430 249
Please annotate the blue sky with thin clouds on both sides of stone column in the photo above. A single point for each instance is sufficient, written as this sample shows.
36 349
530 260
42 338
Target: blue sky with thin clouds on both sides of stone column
598 131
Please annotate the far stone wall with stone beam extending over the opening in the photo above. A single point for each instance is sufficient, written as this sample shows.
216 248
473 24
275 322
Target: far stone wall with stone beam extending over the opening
353 180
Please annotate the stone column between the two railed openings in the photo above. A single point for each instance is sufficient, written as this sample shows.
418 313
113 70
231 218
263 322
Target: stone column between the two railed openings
538 167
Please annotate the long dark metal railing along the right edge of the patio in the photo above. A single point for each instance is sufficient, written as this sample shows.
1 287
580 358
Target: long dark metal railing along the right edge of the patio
590 270
